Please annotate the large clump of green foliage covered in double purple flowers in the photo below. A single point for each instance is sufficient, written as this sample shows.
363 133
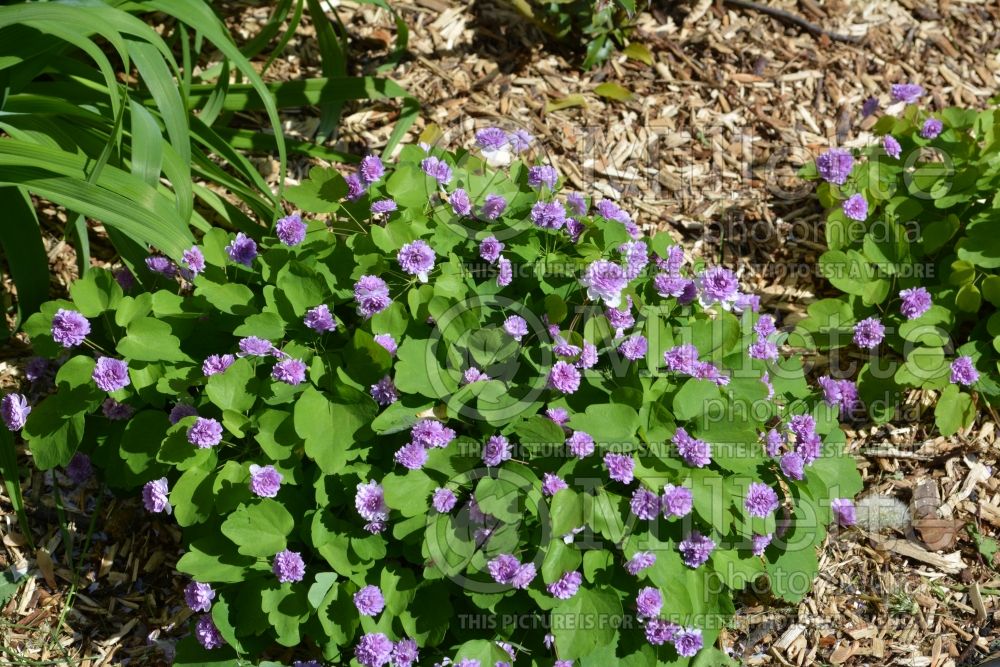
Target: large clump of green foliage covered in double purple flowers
490 419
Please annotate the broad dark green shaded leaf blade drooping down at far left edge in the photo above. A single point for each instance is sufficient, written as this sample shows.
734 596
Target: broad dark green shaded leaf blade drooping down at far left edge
21 240
